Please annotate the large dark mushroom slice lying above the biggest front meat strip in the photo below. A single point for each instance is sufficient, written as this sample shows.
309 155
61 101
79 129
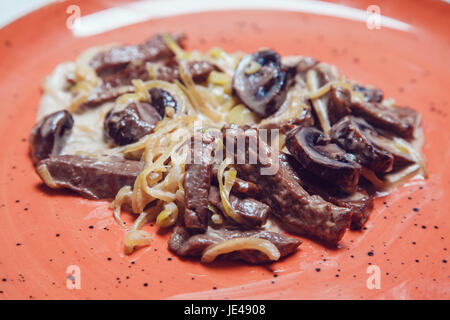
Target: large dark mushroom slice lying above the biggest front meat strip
315 151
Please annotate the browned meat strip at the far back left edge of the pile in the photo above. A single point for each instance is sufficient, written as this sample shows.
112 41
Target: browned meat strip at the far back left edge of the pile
153 49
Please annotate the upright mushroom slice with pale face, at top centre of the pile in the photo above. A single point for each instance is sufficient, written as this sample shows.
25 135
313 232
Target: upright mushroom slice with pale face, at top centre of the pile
260 83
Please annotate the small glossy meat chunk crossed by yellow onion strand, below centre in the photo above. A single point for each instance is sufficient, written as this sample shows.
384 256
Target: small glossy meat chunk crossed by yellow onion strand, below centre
253 212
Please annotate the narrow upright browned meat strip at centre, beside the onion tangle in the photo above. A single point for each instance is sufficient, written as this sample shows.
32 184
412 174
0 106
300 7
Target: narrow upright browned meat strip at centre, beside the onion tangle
197 181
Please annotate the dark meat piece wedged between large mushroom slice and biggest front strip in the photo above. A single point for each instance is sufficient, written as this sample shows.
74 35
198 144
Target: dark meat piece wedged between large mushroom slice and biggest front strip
360 202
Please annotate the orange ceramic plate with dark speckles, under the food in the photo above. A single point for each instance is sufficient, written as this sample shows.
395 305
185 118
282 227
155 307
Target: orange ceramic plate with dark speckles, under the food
44 233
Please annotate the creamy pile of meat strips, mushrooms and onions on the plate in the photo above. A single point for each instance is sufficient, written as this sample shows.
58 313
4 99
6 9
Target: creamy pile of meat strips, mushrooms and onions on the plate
241 154
